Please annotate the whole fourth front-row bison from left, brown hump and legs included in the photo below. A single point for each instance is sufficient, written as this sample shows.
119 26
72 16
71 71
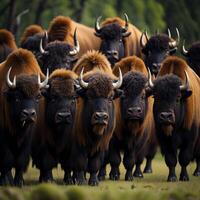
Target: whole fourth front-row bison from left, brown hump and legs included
134 132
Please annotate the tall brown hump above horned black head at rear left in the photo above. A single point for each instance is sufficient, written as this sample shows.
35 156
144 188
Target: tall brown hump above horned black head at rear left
60 29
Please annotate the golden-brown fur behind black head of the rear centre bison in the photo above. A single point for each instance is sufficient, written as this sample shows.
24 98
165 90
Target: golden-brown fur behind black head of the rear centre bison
132 43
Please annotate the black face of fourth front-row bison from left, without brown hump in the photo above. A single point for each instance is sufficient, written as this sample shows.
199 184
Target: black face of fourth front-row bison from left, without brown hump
134 100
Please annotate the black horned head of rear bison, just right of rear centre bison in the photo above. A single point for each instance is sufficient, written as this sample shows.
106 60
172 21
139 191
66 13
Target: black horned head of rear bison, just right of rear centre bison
157 48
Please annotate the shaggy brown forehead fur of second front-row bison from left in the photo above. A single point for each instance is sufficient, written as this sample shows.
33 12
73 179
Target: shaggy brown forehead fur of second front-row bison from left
62 83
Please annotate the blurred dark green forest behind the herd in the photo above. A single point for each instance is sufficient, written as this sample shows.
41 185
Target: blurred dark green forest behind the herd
145 14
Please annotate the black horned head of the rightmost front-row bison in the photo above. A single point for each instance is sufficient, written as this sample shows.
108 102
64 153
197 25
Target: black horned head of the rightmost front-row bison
169 96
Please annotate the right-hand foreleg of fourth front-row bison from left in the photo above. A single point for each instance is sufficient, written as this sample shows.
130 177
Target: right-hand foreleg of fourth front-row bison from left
128 161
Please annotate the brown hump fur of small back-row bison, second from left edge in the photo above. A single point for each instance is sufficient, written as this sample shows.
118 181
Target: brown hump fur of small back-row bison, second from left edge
31 31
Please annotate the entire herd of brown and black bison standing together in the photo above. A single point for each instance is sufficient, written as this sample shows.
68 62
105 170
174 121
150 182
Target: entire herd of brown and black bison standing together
84 98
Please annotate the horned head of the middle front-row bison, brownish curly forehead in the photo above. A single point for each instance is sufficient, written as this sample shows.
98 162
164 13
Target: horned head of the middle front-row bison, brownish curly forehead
99 92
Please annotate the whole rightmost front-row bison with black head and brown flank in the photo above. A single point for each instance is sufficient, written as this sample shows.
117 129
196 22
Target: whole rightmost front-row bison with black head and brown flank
176 111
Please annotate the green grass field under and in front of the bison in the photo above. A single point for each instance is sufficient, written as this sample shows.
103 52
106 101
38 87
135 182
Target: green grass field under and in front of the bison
151 187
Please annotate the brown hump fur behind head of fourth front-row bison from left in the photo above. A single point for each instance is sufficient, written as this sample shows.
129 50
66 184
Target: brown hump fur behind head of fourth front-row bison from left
130 63
